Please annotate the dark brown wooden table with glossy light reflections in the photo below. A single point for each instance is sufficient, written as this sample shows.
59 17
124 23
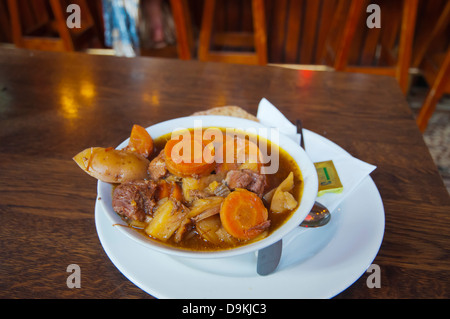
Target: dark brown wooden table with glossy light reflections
53 105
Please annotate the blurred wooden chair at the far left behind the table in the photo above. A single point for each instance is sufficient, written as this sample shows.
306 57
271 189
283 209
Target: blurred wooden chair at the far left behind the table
41 25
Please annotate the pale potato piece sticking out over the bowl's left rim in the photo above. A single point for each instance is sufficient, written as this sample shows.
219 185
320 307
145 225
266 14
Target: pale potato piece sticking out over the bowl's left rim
111 165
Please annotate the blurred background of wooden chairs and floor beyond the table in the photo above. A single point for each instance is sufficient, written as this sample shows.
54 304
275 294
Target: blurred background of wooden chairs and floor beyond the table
405 39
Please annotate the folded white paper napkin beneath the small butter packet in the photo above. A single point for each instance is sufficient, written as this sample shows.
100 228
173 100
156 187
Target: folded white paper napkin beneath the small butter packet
351 170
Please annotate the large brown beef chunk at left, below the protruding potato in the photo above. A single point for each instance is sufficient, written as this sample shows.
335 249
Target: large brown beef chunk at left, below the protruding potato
134 199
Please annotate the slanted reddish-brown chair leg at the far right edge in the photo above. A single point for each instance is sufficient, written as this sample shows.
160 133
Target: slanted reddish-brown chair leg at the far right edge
435 93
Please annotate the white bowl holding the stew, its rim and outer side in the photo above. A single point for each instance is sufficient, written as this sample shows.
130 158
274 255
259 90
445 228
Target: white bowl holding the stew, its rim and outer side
306 166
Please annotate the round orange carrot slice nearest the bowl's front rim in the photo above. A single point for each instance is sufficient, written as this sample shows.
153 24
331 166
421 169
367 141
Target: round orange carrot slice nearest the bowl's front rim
243 214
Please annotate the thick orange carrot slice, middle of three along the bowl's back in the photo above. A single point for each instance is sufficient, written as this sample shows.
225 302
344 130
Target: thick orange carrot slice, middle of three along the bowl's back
186 155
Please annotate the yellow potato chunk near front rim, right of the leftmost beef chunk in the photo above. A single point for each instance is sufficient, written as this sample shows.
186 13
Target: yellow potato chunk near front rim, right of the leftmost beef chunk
167 218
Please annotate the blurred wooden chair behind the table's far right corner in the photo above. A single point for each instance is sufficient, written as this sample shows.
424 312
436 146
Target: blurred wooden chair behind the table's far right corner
342 43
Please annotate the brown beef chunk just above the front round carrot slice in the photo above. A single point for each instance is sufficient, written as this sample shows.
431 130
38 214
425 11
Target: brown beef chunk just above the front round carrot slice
247 179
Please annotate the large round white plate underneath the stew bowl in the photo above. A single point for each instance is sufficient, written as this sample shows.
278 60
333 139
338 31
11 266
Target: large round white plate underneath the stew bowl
320 263
